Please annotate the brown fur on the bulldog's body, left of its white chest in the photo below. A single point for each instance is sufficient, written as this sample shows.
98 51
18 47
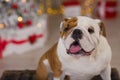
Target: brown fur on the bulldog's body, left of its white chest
55 64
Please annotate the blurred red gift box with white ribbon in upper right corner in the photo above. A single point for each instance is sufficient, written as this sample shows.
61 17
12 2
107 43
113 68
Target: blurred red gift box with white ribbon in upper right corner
107 9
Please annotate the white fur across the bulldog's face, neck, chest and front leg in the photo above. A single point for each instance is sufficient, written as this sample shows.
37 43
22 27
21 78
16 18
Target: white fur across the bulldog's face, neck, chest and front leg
86 67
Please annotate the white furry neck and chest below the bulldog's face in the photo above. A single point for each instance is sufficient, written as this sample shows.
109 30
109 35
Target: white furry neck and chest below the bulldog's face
86 67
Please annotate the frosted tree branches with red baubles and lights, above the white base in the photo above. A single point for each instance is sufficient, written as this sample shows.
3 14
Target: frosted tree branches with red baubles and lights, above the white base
17 14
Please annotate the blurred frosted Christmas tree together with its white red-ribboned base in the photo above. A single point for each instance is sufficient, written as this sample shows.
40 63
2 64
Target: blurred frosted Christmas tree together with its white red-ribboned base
22 26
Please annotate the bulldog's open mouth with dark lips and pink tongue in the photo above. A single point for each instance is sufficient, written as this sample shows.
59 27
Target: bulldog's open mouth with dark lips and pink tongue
75 49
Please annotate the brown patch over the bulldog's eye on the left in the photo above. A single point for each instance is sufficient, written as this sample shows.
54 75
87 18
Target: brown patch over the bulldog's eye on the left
67 26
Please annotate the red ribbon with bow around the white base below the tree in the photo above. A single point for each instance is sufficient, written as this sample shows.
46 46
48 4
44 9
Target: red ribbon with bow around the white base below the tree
4 43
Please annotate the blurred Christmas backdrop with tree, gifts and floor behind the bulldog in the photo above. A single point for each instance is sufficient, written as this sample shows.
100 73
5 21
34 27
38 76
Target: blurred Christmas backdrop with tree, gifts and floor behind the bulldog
28 28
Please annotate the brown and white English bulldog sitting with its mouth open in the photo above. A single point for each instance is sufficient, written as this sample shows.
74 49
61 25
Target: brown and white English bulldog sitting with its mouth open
81 52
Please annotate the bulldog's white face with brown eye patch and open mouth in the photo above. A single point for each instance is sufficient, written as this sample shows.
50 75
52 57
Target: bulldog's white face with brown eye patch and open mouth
80 35
